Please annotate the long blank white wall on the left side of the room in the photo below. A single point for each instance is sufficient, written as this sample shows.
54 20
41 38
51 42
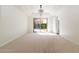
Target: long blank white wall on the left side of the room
13 24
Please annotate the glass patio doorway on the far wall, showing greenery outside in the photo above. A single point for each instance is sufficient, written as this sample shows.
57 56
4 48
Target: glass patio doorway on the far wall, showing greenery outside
40 25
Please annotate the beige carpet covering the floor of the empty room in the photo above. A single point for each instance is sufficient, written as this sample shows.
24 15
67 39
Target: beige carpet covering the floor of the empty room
40 43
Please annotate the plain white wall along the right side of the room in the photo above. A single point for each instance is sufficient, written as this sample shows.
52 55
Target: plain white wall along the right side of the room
69 23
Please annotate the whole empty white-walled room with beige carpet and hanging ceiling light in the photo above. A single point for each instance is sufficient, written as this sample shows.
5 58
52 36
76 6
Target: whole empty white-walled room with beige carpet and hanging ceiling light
39 28
